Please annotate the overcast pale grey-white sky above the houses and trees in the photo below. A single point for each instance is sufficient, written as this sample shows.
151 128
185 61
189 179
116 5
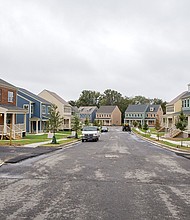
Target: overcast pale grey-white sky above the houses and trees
132 46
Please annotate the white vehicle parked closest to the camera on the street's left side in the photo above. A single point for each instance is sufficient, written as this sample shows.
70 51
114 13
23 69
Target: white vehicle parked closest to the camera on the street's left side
90 133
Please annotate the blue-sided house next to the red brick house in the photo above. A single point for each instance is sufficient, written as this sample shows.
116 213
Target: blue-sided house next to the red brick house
37 111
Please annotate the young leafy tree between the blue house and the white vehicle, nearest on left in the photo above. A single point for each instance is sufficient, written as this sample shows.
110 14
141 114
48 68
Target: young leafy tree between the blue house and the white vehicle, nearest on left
55 120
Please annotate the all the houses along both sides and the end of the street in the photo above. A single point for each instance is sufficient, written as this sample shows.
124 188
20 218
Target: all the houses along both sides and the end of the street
21 112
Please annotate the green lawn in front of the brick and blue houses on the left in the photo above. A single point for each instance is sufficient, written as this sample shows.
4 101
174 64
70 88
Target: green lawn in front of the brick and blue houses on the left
34 138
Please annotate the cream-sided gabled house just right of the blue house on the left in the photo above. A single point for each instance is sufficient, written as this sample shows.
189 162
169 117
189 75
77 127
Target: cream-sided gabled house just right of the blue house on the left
63 107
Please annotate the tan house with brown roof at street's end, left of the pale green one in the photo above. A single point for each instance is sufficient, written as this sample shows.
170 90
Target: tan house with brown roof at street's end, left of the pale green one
108 115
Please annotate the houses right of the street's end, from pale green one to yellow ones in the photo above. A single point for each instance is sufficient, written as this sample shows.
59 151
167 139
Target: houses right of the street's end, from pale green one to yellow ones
150 113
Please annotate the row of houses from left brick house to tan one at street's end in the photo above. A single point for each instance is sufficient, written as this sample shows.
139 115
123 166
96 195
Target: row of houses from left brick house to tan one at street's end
22 111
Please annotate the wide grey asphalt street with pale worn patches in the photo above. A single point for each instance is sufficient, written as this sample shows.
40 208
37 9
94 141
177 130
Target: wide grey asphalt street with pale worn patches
119 177
